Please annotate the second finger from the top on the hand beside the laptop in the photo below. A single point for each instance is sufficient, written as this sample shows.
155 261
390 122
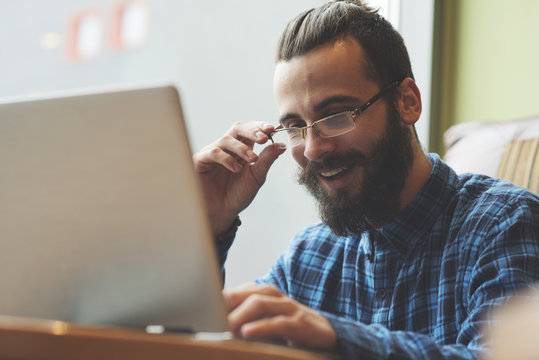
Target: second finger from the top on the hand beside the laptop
257 307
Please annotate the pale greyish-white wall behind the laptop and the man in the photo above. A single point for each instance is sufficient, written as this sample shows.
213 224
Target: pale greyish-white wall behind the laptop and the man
220 54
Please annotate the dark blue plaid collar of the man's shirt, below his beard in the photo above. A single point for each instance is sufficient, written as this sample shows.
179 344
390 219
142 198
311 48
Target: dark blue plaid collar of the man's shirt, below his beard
414 222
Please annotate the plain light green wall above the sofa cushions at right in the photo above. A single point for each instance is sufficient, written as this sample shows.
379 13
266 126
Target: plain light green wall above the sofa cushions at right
496 60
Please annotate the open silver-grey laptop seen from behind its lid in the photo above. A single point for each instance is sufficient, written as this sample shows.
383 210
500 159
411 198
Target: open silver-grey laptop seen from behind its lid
101 216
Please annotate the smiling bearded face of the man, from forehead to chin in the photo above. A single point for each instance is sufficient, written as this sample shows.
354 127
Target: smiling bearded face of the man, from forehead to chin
358 176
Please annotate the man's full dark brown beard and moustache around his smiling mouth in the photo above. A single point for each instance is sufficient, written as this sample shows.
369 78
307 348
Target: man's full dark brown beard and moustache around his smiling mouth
376 200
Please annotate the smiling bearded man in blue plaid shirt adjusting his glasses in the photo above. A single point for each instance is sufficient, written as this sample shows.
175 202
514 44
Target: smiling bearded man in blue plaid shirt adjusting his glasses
410 258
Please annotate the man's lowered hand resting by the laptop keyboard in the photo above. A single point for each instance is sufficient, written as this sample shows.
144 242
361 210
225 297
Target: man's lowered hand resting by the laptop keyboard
263 312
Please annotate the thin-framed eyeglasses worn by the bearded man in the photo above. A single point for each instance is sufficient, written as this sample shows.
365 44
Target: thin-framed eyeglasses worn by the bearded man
331 126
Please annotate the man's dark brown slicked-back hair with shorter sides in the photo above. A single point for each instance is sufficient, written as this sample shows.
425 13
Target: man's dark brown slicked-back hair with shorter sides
387 57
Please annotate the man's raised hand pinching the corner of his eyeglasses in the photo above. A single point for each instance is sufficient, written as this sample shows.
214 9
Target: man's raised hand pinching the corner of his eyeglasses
231 173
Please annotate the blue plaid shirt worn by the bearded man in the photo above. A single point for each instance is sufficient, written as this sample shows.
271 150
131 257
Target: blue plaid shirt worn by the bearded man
421 287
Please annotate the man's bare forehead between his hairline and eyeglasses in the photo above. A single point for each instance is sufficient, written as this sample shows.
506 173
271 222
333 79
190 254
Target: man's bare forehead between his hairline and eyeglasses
337 68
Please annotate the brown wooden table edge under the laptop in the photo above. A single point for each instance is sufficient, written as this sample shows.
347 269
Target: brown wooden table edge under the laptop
22 338
